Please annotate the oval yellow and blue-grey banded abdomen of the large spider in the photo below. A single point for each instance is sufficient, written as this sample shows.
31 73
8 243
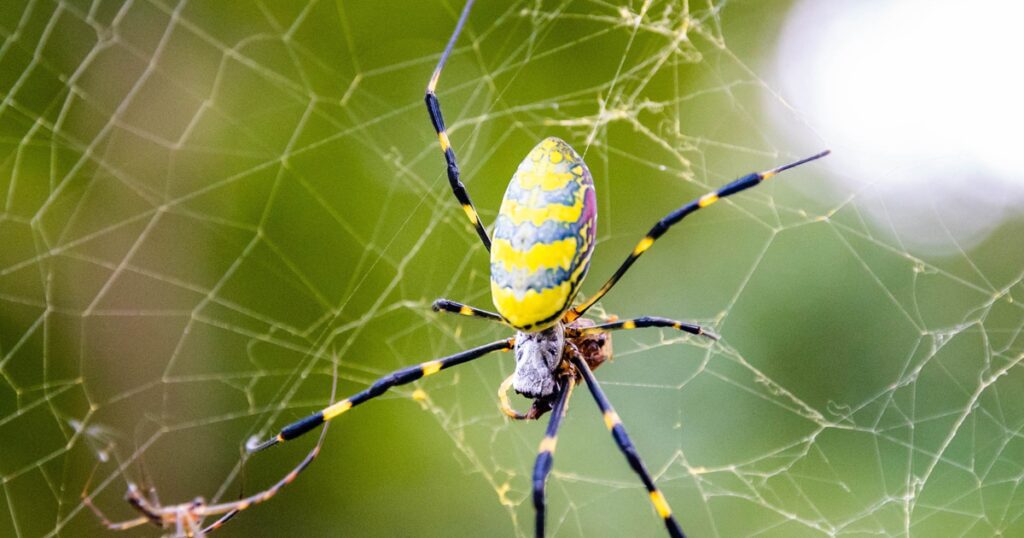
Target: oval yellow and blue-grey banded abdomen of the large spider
544 237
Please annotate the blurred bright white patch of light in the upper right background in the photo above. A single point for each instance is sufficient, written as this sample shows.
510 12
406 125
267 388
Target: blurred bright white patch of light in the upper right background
923 103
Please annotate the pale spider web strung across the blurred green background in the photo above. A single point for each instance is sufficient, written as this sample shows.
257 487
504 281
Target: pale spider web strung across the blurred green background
205 209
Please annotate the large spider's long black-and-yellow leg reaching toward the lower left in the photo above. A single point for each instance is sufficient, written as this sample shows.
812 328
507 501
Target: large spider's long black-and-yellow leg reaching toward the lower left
400 378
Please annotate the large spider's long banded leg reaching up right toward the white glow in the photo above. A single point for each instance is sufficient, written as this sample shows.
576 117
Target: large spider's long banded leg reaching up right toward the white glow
671 220
